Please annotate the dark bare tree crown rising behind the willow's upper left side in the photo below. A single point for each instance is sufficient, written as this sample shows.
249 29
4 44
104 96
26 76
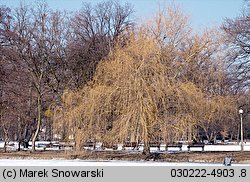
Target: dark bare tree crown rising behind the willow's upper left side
95 30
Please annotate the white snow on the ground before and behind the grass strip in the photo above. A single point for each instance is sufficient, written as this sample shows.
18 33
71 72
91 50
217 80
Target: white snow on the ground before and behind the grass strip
57 162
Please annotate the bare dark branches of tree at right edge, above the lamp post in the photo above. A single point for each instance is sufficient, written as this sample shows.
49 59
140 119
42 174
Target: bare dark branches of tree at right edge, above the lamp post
237 38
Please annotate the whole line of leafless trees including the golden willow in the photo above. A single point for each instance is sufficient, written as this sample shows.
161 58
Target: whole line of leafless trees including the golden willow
97 75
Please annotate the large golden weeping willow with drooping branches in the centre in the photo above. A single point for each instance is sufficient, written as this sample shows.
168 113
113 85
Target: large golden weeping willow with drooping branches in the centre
131 99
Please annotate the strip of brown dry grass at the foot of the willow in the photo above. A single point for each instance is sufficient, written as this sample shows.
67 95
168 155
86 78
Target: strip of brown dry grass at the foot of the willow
210 157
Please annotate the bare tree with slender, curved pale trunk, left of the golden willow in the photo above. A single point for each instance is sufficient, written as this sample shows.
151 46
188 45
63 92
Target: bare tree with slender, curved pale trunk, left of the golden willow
38 41
